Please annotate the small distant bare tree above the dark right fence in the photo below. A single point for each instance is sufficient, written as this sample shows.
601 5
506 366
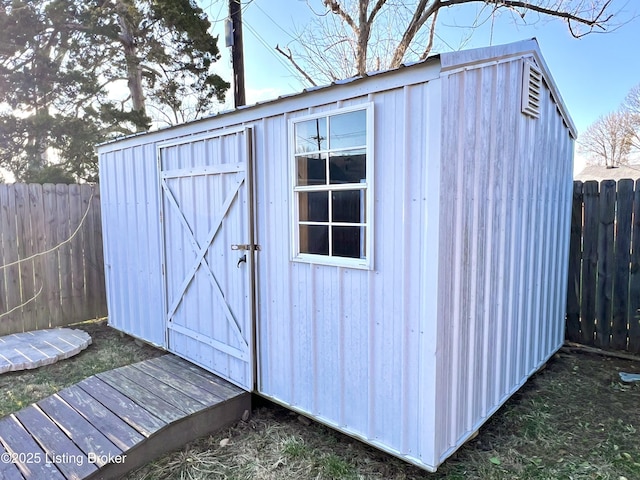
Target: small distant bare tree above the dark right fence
608 140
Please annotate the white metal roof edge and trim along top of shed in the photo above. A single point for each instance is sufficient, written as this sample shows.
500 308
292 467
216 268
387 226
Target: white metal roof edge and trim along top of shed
448 61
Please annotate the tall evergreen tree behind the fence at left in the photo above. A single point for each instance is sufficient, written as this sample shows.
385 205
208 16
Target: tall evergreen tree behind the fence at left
75 73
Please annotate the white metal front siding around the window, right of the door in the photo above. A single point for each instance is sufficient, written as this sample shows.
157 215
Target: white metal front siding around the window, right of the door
348 346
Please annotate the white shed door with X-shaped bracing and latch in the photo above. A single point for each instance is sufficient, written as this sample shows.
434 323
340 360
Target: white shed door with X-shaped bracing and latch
208 255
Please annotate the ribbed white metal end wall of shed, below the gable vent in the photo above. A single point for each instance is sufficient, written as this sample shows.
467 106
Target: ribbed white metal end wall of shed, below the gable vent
504 227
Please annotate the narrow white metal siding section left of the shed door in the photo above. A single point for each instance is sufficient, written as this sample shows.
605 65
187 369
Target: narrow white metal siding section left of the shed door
132 242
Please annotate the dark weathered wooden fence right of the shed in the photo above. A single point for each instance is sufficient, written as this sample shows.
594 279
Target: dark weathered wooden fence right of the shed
603 298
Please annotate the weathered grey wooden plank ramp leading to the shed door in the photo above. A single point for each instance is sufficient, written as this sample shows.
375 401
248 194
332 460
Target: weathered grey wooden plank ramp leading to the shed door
116 421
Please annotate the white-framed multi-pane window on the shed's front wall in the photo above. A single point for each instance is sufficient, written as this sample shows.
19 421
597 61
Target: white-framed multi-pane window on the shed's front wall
332 164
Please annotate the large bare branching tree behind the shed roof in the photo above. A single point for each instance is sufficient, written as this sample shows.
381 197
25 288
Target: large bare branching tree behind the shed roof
352 37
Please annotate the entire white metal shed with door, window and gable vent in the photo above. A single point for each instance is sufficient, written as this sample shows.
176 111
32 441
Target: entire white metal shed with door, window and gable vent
387 255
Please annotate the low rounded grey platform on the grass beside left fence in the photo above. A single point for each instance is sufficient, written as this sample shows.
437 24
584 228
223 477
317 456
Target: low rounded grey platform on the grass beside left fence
23 351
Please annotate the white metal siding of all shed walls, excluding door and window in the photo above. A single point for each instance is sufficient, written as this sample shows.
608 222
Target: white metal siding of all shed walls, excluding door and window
466 296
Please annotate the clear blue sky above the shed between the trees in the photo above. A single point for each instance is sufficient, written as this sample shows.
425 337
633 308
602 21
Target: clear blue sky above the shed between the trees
593 73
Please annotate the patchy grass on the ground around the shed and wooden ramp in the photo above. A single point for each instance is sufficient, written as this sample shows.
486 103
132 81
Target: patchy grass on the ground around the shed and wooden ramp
573 420
